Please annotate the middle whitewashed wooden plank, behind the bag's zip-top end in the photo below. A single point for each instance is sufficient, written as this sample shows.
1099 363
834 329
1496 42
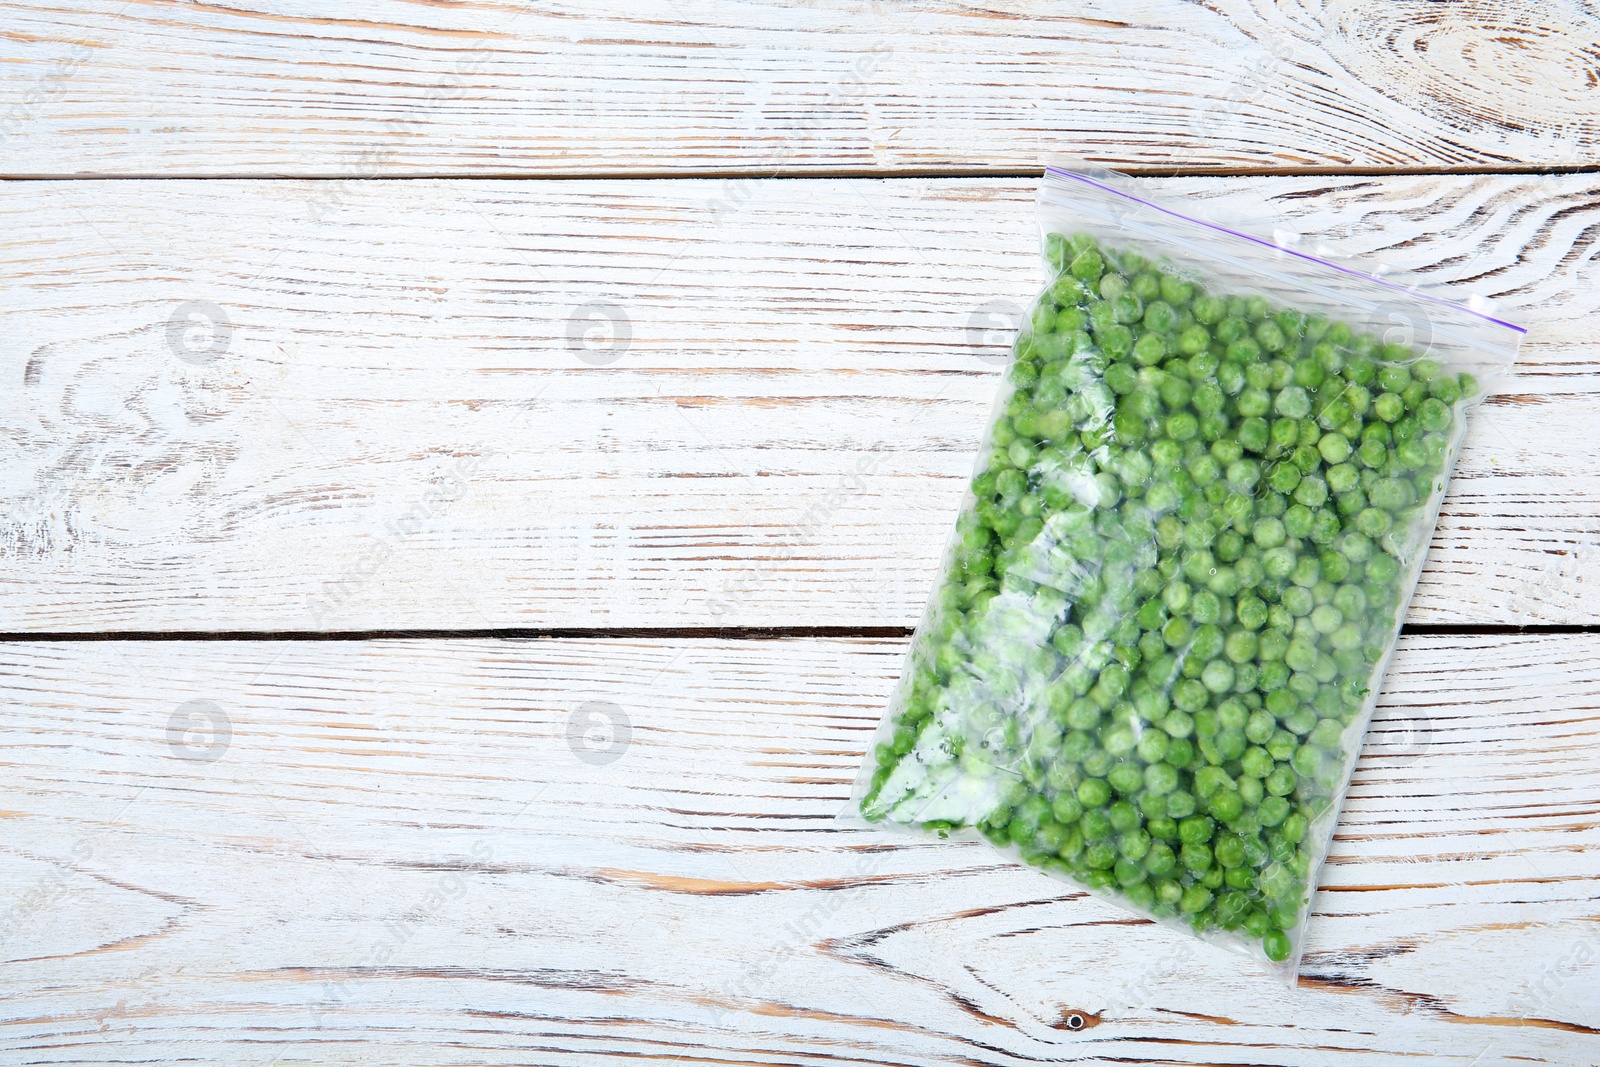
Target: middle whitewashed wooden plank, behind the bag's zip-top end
401 425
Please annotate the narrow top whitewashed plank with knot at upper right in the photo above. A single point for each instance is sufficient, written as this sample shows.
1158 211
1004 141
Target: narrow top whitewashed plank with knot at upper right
386 87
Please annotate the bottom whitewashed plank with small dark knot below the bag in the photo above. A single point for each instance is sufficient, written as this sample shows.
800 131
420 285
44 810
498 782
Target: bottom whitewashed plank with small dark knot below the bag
454 852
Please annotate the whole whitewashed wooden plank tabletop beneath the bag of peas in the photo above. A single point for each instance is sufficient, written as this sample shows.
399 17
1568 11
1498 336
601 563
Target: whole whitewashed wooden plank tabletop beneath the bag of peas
470 473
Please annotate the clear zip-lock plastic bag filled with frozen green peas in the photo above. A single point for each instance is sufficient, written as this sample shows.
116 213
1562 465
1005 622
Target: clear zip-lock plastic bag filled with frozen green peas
1183 564
